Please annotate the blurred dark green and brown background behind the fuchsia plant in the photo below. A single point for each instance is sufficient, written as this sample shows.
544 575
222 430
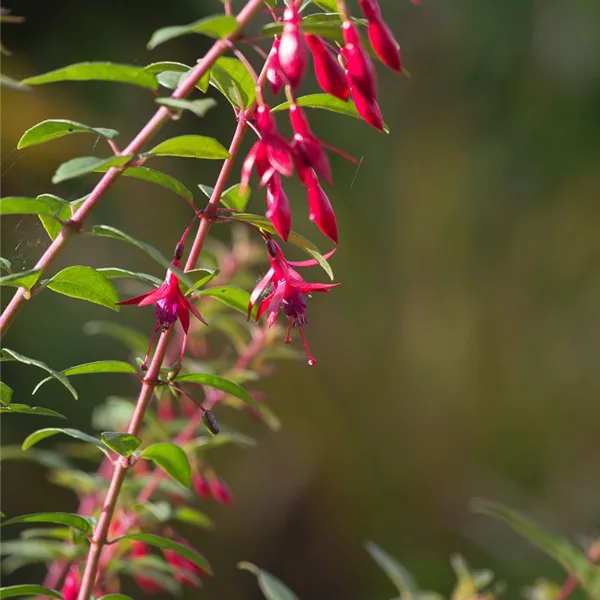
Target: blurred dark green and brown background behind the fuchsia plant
460 356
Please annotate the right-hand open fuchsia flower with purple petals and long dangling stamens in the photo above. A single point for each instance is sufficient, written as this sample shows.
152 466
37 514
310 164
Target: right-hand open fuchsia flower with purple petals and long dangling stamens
289 291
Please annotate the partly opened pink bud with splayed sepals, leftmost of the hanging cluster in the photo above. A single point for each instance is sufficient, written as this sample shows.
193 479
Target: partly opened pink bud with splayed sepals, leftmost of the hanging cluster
271 154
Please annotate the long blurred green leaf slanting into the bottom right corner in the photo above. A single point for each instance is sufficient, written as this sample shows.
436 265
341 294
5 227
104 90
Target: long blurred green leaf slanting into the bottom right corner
572 559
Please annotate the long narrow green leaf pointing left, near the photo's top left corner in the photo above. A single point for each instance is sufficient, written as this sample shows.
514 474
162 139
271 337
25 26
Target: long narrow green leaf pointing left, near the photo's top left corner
97 71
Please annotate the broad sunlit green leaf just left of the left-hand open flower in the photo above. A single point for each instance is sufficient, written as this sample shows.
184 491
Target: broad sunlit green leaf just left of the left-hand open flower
85 283
